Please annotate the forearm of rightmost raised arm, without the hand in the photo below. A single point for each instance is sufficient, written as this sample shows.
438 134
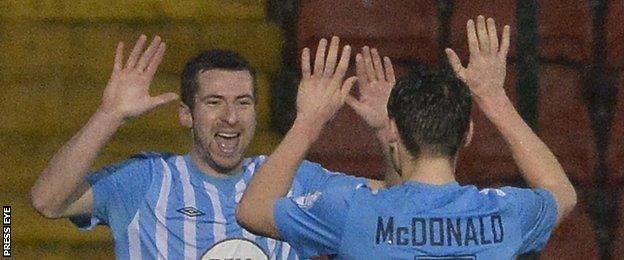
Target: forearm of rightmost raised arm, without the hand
535 160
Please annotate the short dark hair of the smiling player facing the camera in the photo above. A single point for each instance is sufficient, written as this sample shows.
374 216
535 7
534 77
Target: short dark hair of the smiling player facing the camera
207 60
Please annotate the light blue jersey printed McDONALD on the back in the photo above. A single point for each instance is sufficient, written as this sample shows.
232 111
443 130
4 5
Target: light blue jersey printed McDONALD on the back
418 221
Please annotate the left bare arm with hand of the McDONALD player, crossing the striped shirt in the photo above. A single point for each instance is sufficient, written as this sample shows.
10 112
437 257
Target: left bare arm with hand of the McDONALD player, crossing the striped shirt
321 94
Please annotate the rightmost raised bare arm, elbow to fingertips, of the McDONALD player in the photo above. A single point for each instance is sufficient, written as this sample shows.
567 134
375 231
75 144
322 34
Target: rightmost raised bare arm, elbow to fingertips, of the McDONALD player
485 76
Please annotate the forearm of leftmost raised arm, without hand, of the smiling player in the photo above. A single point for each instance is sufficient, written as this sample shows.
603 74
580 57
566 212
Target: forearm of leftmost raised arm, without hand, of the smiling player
65 176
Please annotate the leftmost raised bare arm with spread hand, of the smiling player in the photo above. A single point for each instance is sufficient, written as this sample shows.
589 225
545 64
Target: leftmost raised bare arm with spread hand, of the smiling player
62 189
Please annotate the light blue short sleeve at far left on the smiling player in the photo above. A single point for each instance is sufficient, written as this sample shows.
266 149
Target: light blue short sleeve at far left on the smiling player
117 191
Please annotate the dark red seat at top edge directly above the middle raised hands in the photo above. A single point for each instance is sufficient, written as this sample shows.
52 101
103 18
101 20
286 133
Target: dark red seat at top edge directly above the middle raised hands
401 29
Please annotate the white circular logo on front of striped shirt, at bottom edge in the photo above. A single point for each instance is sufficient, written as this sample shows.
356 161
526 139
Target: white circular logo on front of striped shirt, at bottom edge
236 248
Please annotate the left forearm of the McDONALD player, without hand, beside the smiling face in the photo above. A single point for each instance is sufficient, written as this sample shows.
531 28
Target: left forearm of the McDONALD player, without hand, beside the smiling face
274 178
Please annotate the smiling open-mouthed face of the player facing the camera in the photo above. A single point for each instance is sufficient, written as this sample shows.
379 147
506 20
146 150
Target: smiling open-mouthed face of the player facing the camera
223 120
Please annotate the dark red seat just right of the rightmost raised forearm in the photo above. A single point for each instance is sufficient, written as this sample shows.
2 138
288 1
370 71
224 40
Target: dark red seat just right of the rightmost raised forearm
564 123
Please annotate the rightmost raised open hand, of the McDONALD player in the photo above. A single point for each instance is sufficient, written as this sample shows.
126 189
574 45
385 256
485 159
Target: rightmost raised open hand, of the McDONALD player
485 73
